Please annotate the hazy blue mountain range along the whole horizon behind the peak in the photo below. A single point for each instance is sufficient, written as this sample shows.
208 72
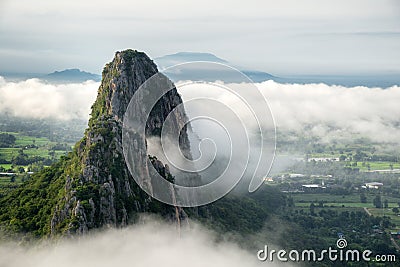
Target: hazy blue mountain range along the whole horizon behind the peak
218 73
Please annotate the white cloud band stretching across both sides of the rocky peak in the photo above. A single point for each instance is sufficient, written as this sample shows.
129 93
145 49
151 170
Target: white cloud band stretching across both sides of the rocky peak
317 109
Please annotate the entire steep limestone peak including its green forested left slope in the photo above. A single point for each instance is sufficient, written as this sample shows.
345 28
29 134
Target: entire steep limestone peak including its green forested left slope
92 186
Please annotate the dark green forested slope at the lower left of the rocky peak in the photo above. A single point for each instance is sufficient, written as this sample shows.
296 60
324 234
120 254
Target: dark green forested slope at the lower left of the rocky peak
29 208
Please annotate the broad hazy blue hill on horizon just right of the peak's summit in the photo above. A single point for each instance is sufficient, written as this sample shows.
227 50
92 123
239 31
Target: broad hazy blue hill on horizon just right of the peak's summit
212 74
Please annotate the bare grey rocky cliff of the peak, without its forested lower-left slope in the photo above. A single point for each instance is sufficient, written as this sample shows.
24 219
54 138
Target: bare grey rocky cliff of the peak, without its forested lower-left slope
99 190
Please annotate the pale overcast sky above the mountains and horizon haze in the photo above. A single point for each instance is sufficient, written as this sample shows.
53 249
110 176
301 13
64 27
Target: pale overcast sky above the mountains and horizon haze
280 37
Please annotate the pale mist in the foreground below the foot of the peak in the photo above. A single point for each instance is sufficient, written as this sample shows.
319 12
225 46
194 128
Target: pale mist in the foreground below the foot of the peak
149 244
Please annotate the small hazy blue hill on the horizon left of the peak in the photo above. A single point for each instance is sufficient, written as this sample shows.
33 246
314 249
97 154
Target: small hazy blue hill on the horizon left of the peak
71 75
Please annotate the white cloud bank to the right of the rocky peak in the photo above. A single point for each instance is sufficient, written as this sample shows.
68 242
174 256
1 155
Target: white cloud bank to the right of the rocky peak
321 110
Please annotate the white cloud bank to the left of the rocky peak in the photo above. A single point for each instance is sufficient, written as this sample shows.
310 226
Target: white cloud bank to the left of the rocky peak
34 98
